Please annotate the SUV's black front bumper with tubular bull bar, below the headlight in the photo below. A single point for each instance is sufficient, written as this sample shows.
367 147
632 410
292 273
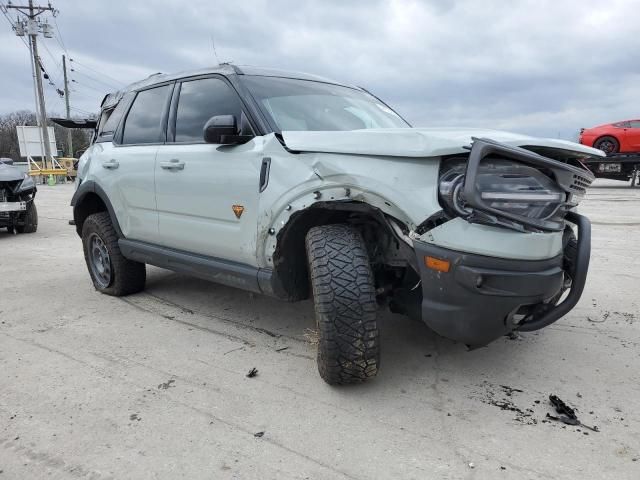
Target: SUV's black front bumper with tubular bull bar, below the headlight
482 298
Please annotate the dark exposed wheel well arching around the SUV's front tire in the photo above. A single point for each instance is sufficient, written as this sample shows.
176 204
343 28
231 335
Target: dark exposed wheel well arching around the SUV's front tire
290 258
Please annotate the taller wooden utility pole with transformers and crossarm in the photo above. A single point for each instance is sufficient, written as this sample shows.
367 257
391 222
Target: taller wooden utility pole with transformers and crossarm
33 28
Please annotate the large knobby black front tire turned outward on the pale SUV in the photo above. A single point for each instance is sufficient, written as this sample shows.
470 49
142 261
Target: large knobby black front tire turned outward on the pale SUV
345 304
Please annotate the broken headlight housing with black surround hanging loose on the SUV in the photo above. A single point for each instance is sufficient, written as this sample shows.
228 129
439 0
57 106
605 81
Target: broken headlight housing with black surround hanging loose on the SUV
511 187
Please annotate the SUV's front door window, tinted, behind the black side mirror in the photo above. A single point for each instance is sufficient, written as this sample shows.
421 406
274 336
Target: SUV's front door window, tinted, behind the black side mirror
199 101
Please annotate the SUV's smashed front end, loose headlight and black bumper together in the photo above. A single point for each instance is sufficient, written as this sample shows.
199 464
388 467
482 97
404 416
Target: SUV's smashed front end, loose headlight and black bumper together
476 298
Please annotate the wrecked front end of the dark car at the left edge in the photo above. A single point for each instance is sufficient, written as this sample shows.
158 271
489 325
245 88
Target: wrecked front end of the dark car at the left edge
17 192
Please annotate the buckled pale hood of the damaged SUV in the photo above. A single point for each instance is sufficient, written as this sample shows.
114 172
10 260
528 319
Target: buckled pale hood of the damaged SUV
418 142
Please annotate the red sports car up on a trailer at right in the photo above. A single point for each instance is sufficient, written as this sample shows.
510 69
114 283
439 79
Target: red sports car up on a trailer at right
619 137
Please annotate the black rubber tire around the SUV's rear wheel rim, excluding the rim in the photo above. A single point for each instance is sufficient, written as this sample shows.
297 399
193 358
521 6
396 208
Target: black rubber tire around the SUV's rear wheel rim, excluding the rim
126 276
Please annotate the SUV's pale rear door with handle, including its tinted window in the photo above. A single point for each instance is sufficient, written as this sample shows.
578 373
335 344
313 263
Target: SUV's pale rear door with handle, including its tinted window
129 164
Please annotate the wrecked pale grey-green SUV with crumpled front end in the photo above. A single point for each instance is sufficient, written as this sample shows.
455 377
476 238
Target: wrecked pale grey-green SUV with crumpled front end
298 187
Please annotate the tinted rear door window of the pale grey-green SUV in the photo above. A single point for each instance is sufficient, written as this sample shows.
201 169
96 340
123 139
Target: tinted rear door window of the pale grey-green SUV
144 121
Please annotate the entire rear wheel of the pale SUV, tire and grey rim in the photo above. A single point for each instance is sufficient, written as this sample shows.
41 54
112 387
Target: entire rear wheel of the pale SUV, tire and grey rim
110 272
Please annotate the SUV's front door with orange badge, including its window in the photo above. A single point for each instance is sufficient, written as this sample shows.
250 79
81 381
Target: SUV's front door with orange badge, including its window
207 194
